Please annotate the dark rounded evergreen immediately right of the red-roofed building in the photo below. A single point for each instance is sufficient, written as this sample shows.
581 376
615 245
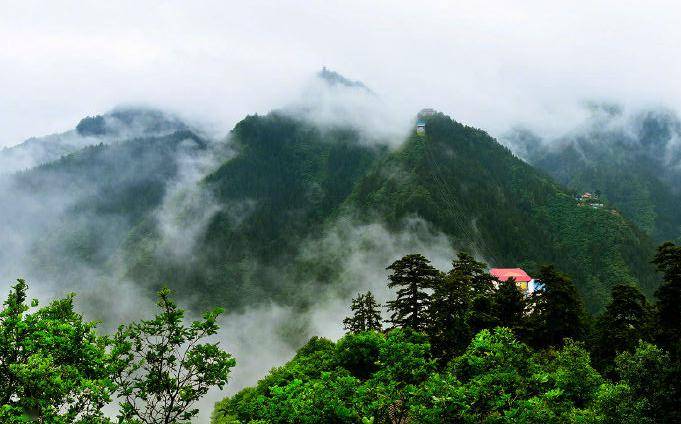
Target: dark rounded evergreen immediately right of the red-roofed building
557 311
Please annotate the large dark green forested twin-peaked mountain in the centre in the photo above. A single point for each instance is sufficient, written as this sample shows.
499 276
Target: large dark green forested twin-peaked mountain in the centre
290 182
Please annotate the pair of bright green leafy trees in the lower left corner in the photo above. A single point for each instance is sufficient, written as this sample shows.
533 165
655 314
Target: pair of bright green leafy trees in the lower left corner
55 368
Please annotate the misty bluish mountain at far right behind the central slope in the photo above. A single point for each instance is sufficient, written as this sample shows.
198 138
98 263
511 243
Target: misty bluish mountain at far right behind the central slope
633 160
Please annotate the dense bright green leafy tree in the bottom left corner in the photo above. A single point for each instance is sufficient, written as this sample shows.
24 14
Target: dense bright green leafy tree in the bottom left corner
54 368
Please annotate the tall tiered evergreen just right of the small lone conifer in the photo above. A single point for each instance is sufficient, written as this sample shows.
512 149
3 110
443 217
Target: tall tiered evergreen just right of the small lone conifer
413 276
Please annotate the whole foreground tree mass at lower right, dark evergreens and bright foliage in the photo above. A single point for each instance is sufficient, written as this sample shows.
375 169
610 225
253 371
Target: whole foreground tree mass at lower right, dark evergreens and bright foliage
460 347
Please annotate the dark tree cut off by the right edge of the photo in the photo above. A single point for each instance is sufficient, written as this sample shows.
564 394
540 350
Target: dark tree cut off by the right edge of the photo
668 261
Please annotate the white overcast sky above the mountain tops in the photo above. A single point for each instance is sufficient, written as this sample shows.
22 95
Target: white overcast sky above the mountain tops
489 64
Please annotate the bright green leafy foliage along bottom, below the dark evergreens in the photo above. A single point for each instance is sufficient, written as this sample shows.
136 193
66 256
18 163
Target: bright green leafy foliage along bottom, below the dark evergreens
497 379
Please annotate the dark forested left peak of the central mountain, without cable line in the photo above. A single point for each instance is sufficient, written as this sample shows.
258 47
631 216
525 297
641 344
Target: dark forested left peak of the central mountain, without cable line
285 181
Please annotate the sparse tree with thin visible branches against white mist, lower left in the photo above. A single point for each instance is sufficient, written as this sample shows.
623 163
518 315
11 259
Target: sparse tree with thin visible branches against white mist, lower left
167 366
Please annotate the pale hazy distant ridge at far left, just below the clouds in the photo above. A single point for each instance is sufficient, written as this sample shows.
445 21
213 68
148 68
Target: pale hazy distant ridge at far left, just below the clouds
118 124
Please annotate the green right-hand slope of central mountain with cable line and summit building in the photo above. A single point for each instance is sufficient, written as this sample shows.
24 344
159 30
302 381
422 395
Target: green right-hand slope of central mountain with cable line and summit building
487 200
